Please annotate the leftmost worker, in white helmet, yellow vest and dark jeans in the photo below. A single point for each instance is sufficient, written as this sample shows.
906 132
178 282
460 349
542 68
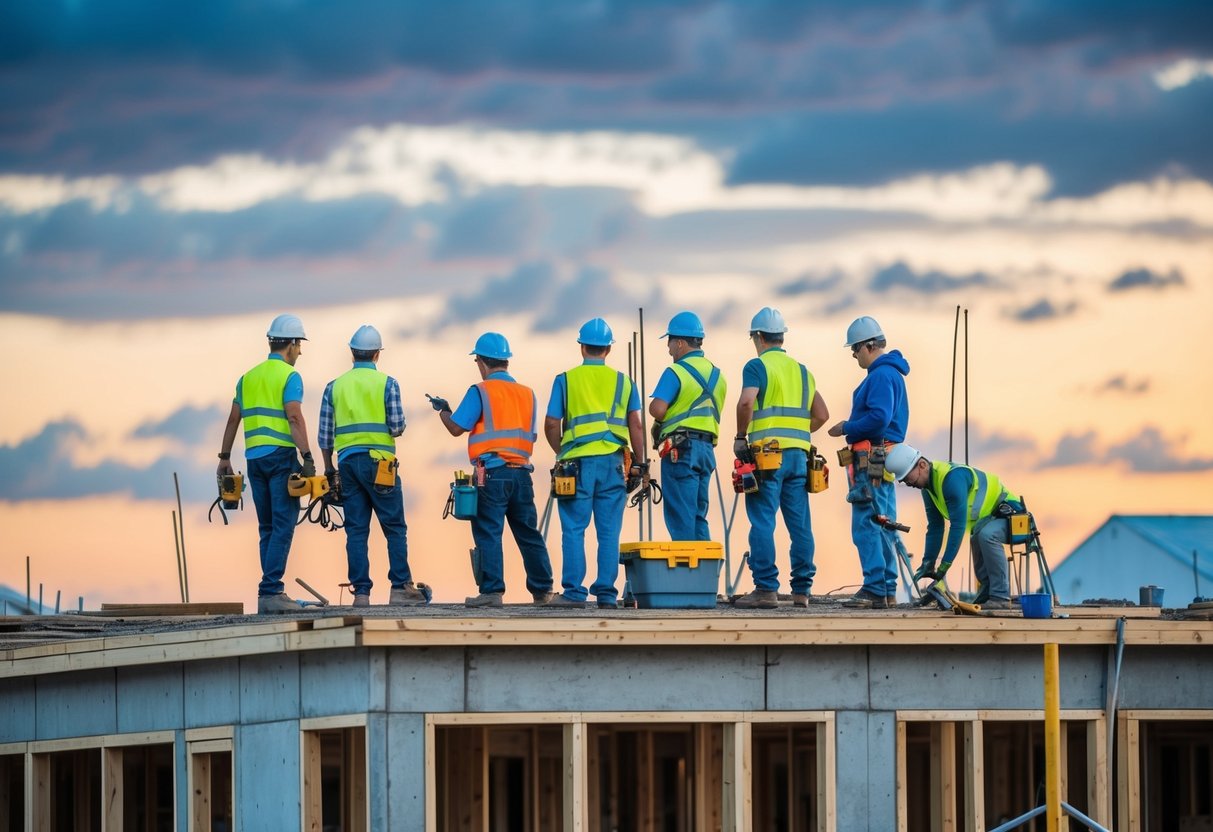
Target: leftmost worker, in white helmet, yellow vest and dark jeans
269 400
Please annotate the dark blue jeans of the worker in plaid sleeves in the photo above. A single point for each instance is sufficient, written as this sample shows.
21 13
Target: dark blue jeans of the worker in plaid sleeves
360 497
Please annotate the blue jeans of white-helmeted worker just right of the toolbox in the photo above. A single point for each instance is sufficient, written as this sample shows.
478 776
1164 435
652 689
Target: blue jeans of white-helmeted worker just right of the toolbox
784 492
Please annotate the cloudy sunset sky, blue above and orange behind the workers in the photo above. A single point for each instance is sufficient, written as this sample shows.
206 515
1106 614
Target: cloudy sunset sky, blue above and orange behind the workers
173 178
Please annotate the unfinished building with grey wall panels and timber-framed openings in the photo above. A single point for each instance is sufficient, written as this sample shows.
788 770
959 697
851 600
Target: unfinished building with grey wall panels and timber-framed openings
531 719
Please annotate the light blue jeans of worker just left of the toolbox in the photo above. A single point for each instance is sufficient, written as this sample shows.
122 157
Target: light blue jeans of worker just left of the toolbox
601 493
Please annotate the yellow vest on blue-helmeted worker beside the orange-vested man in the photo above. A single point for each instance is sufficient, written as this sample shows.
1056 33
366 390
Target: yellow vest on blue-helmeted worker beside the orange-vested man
595 412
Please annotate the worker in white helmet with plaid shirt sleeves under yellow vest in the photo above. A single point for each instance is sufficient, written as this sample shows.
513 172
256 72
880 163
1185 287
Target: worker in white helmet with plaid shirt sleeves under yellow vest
361 417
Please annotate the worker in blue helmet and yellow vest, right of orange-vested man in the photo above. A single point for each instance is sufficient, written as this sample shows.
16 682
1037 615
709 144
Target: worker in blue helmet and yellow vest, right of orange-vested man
594 414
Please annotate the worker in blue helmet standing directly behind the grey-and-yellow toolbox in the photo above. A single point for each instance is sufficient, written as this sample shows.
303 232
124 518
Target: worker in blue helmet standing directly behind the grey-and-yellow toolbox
687 408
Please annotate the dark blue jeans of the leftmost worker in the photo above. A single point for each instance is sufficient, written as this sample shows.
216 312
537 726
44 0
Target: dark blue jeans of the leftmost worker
277 514
